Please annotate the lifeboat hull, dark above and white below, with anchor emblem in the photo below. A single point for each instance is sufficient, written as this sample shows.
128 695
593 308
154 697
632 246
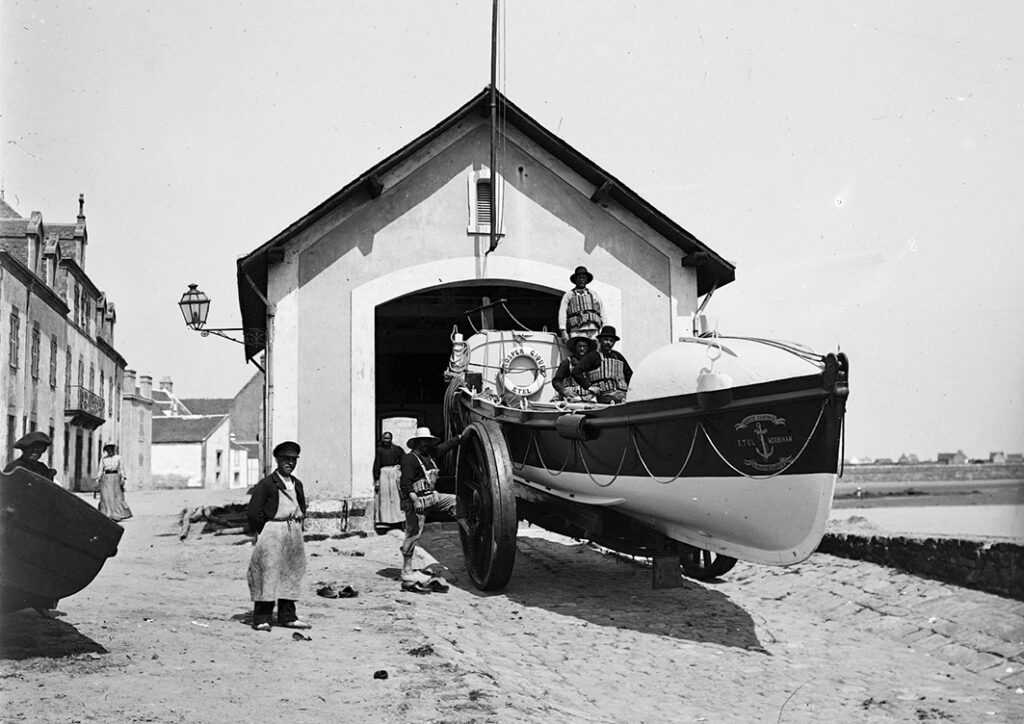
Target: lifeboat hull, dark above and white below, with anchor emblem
750 477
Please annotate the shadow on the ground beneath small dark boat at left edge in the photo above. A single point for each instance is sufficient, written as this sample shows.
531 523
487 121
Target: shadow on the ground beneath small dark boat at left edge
28 634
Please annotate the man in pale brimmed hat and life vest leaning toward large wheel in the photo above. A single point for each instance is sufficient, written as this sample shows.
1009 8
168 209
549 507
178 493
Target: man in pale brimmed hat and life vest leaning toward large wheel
419 497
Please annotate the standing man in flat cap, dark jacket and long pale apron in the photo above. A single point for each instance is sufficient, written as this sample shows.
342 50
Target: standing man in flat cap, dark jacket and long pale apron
278 566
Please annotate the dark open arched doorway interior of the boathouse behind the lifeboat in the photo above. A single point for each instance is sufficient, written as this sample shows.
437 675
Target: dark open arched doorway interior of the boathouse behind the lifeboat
414 342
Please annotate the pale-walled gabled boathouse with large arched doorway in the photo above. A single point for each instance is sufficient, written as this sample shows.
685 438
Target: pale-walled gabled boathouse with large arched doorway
352 308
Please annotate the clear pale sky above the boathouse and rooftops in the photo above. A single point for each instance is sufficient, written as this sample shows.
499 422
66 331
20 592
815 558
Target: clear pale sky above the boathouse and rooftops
862 164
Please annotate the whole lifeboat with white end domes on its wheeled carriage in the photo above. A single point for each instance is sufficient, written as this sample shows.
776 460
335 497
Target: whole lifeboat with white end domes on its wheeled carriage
727 449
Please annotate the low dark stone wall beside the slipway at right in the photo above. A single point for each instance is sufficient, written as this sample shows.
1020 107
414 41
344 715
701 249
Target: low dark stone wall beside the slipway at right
994 568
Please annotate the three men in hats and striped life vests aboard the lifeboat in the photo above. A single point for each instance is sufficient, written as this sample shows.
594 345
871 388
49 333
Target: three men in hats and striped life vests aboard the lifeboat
594 371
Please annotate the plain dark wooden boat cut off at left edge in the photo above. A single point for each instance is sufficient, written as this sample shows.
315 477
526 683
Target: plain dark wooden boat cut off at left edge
53 544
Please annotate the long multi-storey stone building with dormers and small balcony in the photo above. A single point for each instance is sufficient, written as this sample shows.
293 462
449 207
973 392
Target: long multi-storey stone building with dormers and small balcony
62 373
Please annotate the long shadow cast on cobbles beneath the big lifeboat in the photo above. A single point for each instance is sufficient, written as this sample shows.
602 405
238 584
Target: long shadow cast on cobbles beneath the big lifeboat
606 590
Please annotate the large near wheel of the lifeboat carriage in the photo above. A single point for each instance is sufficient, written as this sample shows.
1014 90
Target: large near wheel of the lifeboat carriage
487 506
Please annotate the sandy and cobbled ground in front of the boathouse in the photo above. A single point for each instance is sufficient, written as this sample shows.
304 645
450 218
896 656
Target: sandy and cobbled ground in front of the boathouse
578 636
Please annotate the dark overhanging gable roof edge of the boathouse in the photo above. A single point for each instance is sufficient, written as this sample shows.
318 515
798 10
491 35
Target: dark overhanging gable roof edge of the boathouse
712 270
